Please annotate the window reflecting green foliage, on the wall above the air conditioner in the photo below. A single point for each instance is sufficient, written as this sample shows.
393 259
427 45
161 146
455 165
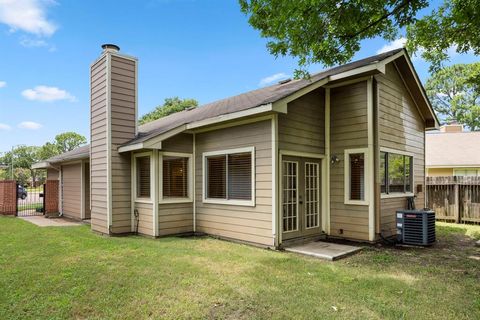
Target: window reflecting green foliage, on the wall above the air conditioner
396 173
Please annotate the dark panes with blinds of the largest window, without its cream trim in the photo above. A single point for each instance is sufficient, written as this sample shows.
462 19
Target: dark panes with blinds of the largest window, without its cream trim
229 176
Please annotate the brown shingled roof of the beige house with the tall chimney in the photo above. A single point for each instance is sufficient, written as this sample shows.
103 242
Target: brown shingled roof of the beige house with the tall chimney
267 96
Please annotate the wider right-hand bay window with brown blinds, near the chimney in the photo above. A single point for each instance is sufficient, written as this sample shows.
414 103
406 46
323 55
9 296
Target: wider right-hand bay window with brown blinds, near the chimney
175 177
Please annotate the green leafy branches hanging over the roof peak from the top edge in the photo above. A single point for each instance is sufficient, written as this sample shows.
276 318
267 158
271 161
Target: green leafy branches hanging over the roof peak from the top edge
330 31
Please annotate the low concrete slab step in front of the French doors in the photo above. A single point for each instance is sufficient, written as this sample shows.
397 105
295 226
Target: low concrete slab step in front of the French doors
324 250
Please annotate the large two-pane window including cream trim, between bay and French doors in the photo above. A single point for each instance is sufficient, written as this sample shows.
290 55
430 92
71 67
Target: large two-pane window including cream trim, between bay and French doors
229 176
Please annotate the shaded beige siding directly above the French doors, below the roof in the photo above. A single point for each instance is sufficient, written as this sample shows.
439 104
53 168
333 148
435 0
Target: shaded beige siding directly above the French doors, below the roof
303 127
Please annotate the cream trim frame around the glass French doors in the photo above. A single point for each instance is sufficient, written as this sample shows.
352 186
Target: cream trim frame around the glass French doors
324 216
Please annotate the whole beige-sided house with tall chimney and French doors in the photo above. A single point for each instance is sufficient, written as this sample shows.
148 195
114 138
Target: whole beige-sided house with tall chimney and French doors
332 155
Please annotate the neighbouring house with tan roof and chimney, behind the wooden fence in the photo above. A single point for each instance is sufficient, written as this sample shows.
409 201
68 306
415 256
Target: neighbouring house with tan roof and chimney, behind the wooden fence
453 152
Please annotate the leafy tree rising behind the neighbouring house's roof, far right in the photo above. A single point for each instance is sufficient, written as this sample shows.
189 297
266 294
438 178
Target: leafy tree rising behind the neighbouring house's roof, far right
454 96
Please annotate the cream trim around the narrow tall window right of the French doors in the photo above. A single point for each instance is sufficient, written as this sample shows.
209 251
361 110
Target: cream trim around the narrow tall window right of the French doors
346 179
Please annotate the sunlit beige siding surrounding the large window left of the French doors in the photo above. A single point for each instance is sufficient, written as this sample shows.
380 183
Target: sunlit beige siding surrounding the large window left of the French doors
251 224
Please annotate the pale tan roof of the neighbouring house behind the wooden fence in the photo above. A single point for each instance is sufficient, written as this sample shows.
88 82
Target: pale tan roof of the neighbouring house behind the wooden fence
455 149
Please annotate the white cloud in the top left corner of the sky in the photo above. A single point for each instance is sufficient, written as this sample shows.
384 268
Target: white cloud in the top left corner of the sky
27 15
